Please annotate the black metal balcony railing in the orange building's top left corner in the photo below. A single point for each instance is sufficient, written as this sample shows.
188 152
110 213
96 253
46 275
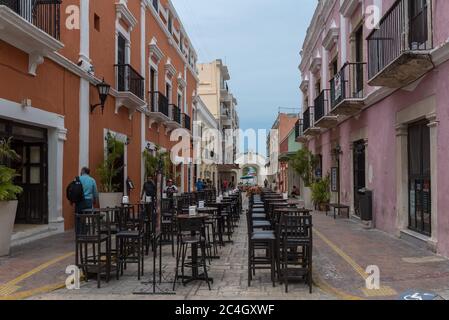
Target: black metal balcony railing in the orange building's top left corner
44 14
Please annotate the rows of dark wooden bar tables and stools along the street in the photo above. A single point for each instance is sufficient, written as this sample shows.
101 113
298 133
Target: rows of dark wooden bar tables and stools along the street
194 227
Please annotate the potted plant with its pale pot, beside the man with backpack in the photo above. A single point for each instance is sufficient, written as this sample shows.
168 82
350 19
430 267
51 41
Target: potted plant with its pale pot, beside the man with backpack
110 194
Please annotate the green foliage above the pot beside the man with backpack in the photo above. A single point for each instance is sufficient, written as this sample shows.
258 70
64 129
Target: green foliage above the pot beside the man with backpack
110 167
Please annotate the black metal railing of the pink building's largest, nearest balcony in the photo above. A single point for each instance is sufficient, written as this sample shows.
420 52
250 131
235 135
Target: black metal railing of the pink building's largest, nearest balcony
390 40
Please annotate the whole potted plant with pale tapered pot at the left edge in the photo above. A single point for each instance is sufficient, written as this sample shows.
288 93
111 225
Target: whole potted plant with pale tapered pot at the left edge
8 196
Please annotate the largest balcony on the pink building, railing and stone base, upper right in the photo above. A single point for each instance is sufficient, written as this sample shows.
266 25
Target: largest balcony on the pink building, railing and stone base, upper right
399 50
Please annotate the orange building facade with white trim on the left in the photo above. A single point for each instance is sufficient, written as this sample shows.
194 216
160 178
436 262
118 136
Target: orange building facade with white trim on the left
53 56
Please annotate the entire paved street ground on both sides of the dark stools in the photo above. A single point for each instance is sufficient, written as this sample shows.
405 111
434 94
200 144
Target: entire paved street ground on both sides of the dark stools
342 251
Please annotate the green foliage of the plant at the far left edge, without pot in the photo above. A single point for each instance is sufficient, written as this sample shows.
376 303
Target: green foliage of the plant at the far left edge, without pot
8 190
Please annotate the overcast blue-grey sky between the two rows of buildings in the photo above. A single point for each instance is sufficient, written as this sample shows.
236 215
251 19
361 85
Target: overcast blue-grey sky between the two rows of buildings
260 41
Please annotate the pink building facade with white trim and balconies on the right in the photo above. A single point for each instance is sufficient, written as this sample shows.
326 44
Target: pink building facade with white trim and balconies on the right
377 100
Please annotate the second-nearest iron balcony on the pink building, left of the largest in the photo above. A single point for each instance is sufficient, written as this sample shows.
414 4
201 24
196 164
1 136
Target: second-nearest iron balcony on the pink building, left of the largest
347 91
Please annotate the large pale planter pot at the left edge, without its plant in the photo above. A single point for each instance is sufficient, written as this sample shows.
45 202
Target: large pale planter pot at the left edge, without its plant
8 211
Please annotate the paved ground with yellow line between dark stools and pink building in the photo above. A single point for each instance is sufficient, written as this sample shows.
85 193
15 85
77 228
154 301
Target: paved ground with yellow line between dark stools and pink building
344 249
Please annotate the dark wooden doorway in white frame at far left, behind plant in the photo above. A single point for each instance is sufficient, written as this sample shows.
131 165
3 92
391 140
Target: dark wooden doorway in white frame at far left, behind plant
30 143
